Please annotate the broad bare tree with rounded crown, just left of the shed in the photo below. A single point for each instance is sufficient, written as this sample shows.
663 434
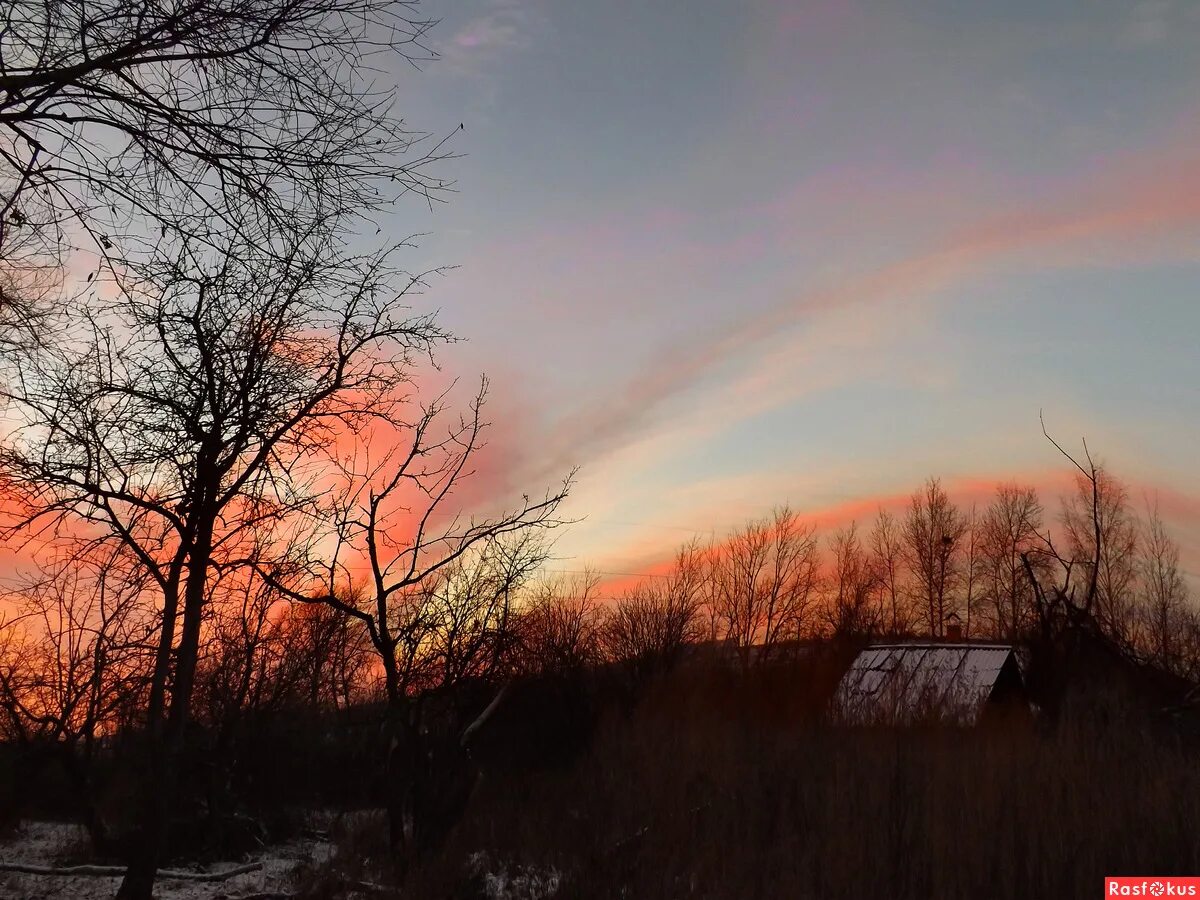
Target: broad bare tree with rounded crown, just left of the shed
765 584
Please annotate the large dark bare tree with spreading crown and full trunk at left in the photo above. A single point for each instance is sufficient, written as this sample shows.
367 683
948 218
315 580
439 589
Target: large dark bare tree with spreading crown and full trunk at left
183 419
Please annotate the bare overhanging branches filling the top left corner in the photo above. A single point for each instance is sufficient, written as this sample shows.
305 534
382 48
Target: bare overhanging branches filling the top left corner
127 122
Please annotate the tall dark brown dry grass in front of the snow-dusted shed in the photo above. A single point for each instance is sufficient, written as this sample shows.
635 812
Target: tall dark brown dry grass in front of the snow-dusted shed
710 791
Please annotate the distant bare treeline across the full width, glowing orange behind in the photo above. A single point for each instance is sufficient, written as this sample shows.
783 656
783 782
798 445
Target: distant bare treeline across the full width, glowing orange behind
77 661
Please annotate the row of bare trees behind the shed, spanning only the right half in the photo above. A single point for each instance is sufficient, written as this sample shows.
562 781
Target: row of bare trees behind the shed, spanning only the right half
776 583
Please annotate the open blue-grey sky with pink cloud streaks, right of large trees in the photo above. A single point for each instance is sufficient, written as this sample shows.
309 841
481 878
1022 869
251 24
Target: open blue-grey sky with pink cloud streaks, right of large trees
722 256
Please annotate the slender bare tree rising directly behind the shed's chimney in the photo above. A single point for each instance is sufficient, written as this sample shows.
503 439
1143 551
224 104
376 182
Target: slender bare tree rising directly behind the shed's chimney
933 531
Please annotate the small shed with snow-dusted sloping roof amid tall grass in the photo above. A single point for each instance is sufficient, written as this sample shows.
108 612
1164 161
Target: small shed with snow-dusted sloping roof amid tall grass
905 683
